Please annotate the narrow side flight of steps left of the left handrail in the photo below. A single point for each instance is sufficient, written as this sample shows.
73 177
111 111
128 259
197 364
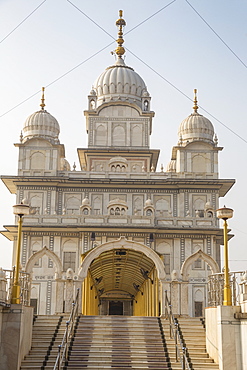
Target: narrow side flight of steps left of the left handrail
48 331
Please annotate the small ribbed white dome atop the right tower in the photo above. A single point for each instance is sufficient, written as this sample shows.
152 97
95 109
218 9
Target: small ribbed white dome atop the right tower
196 127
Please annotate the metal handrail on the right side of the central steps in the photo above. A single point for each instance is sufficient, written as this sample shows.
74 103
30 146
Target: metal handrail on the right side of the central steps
180 349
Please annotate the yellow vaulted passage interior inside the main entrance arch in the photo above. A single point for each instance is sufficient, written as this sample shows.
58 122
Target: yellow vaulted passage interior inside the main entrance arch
121 282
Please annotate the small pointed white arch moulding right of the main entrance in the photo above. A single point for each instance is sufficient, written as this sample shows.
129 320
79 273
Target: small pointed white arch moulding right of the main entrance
205 257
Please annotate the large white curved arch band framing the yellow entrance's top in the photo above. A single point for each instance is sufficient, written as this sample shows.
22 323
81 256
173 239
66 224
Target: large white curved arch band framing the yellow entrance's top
122 242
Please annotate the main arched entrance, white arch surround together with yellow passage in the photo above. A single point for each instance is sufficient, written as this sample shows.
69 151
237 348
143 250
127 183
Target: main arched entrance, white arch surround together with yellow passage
122 278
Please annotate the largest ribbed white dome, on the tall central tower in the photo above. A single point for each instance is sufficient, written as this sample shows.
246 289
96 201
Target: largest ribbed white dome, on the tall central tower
120 82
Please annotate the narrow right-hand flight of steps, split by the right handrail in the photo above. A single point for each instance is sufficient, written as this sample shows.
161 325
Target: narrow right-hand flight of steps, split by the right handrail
194 336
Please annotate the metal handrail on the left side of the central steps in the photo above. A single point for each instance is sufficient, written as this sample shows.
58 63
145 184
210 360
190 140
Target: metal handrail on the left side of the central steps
63 348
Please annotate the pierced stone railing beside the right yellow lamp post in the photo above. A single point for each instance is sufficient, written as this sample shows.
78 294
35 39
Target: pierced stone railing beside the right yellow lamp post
216 287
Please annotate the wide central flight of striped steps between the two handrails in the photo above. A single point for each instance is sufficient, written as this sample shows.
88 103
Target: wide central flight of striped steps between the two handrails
117 342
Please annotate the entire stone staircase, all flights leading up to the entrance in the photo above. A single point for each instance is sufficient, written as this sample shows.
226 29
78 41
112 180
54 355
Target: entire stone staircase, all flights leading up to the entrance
117 342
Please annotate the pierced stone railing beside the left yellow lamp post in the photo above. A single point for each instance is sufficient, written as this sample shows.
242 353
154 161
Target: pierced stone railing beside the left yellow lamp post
6 283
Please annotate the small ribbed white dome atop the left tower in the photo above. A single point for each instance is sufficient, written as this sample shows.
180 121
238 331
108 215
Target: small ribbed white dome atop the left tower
41 124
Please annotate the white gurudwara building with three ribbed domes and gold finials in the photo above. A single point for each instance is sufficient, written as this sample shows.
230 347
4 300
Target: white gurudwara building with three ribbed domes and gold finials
118 228
